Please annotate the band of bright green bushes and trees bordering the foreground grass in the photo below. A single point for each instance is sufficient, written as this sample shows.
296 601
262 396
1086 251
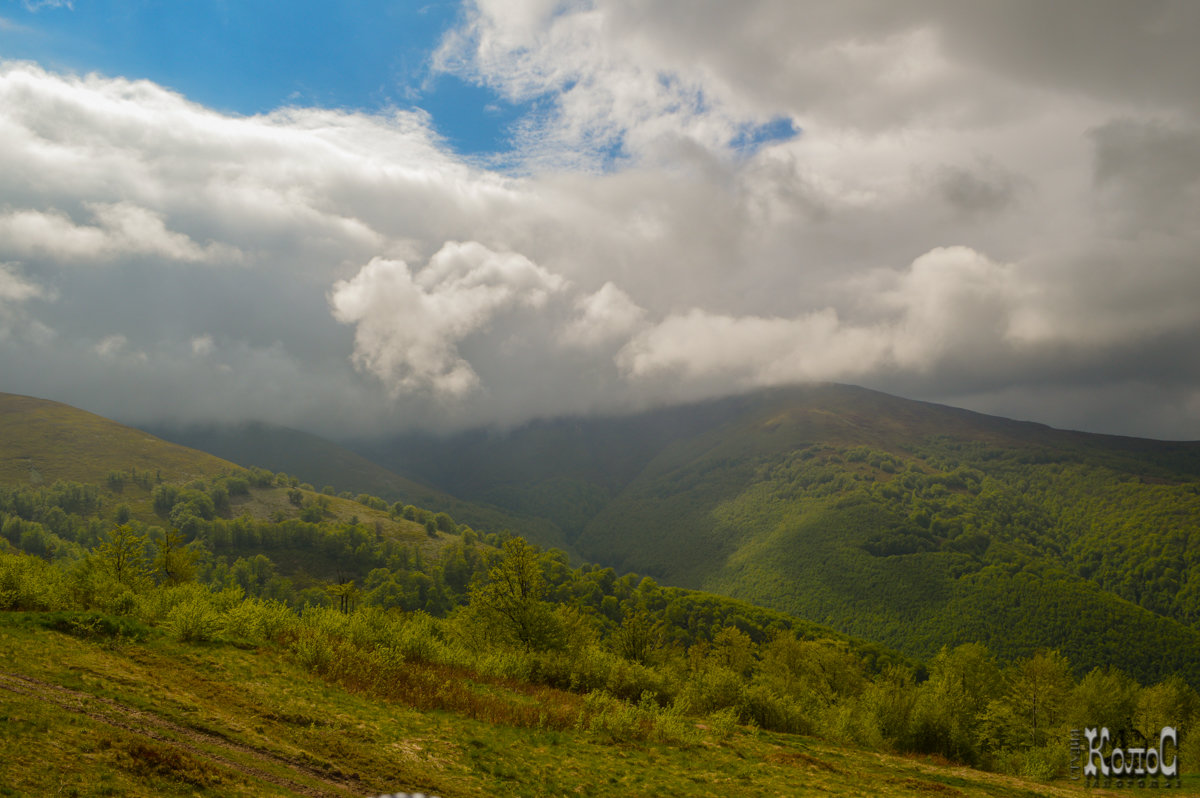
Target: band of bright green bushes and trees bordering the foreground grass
970 709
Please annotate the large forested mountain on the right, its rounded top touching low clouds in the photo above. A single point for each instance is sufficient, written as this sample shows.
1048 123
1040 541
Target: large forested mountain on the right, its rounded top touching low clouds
907 523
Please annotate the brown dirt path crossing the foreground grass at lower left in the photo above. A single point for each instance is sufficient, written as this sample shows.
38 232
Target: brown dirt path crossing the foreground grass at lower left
139 722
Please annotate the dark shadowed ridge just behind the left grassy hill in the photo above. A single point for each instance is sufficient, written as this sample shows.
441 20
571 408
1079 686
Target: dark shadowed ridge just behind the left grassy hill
322 463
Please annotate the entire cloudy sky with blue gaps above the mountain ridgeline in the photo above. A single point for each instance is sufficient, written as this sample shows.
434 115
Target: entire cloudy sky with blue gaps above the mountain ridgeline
365 218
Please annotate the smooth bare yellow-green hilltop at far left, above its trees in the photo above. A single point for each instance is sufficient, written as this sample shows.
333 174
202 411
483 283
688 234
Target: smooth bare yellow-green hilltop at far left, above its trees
43 442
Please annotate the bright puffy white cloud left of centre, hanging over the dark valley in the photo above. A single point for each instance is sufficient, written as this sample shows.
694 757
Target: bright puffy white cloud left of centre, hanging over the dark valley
409 327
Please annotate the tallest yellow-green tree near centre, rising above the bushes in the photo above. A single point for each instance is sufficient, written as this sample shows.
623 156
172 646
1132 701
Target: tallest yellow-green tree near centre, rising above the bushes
512 597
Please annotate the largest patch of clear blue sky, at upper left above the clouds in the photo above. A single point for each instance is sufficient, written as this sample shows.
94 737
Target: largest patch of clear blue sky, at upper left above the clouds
251 57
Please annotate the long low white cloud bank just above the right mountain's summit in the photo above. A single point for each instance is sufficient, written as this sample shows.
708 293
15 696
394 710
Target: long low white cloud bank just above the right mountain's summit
951 303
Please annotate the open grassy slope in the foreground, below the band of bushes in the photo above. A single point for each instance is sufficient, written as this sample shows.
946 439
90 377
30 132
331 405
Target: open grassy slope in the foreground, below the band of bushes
167 719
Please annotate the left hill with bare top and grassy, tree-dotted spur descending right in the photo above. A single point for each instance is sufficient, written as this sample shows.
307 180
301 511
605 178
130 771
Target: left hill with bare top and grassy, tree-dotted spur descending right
57 455
